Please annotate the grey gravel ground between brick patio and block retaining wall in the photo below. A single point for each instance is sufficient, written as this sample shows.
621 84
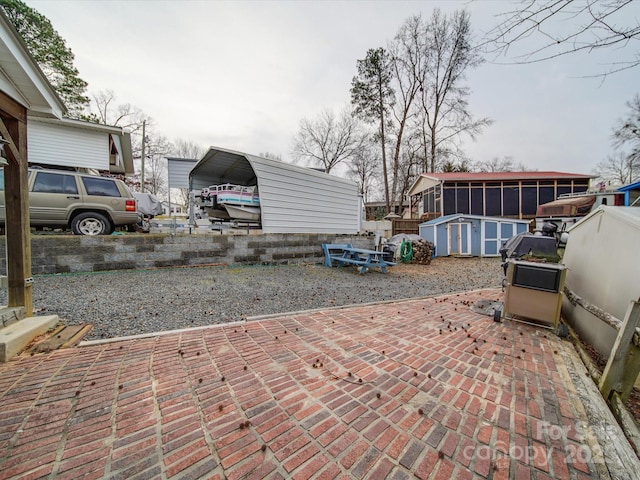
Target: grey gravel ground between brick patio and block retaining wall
122 303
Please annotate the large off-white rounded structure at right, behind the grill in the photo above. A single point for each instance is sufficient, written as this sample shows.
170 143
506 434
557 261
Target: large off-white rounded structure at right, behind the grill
603 260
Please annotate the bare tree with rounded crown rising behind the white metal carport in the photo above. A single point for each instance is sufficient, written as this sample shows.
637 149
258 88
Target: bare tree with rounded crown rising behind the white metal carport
328 140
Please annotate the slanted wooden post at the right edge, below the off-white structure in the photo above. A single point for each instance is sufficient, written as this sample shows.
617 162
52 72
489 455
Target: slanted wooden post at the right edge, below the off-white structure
623 365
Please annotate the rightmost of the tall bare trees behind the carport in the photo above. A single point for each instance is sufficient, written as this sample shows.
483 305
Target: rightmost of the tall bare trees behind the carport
445 109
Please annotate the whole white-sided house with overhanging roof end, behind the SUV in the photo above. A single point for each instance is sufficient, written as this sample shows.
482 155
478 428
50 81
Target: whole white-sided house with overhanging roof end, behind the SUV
74 143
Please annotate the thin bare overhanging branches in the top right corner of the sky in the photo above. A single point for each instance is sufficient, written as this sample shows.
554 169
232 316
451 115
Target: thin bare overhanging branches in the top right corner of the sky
566 27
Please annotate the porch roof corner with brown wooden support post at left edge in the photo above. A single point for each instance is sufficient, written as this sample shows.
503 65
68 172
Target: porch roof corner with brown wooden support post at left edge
25 93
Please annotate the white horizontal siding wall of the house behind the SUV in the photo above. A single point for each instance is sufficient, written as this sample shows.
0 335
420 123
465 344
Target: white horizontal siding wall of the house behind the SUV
53 144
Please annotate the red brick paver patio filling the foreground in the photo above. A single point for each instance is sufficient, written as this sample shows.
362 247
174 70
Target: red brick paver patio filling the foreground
415 389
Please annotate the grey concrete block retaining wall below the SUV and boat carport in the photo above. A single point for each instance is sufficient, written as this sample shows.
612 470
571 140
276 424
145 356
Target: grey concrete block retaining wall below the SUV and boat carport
69 253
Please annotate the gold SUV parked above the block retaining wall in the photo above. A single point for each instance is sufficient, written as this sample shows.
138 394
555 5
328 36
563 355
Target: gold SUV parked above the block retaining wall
87 204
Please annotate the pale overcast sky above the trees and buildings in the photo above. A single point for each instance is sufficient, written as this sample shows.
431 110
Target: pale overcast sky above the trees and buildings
241 75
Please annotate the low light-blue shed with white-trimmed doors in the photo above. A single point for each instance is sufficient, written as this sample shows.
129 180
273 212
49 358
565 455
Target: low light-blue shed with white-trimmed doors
473 235
